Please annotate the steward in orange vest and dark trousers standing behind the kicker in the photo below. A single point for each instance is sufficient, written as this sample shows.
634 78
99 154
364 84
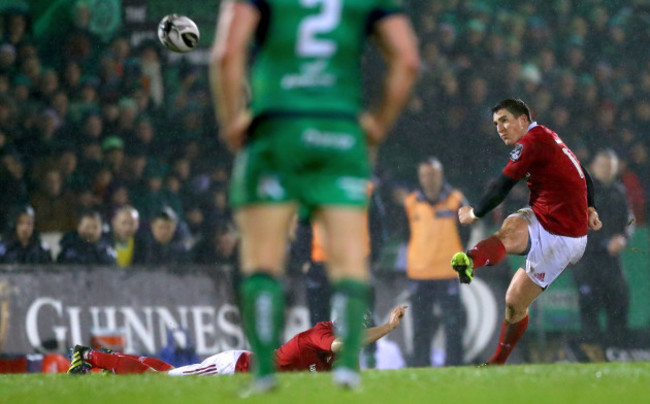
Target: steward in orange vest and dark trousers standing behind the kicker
435 236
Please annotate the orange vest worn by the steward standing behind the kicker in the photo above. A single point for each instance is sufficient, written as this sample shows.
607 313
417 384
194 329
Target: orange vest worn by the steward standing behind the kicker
434 236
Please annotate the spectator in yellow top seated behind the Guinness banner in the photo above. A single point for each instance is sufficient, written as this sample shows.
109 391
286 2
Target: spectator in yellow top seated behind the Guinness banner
124 226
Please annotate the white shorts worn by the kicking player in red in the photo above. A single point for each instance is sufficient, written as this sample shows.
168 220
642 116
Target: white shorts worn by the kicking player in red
549 253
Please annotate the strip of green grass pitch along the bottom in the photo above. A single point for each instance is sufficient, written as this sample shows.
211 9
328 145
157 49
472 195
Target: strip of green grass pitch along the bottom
619 383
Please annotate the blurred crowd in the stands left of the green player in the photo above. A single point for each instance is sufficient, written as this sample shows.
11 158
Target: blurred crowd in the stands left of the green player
93 127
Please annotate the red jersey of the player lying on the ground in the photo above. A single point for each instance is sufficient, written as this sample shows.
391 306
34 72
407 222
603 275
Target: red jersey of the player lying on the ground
310 350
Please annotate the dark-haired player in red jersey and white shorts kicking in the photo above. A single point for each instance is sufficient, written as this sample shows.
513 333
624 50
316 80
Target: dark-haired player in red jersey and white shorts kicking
551 231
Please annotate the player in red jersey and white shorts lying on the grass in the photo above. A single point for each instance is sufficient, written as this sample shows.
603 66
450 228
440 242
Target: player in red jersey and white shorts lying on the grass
313 350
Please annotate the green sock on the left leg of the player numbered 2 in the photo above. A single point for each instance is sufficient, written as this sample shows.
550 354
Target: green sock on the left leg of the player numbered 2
263 317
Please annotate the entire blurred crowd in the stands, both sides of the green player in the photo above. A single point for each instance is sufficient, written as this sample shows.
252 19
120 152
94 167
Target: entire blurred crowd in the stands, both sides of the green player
93 130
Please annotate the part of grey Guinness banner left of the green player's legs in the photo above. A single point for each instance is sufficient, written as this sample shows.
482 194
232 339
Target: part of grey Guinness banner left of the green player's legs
64 304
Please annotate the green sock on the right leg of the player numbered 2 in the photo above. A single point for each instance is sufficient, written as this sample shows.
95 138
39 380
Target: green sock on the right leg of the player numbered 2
349 303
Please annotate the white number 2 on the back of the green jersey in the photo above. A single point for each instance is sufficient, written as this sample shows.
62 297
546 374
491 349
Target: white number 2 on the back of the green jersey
326 21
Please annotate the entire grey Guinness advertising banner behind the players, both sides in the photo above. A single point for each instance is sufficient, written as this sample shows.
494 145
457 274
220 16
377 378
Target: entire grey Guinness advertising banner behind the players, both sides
52 308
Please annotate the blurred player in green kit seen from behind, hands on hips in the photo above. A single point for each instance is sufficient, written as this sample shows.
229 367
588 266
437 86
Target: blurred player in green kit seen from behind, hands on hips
303 140
